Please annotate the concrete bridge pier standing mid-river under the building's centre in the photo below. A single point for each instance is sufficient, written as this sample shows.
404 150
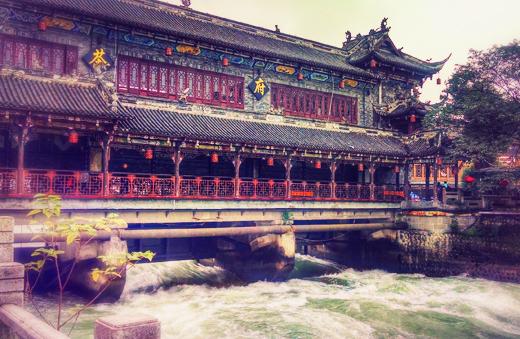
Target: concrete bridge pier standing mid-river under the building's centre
258 257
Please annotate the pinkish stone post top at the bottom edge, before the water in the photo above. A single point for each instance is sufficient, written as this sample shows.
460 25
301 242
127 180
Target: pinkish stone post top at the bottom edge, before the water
127 327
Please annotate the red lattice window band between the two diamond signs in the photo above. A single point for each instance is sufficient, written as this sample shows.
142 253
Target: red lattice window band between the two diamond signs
156 79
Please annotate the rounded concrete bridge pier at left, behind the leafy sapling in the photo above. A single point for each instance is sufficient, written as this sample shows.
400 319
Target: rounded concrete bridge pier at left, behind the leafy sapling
87 258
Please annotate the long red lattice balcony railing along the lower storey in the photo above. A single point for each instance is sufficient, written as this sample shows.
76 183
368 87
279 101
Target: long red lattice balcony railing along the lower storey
89 185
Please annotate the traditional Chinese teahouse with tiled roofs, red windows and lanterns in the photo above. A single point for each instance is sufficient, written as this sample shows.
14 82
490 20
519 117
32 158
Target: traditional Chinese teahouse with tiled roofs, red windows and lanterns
139 99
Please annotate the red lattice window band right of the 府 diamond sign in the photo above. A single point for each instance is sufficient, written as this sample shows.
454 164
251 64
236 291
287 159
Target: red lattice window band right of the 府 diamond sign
306 103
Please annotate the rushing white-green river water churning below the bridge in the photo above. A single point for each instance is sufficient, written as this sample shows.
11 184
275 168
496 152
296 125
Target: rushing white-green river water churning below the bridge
321 300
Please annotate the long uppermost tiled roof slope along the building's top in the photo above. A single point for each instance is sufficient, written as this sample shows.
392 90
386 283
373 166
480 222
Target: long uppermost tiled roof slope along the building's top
183 23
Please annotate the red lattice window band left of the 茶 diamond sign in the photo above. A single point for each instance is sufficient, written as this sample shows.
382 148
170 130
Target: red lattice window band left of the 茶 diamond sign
32 54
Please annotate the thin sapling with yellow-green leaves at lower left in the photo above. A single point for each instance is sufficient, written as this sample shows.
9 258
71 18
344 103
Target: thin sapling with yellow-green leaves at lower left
62 234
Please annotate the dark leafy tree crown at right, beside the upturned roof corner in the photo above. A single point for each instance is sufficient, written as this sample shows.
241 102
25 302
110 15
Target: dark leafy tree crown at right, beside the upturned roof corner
480 111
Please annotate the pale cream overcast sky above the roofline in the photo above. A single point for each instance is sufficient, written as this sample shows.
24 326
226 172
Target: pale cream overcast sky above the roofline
425 28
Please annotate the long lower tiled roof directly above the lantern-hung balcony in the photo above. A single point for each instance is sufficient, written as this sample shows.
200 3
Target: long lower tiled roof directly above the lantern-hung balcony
212 128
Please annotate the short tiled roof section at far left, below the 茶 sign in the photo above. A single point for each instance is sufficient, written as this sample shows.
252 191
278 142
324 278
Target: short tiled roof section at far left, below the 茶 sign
44 95
